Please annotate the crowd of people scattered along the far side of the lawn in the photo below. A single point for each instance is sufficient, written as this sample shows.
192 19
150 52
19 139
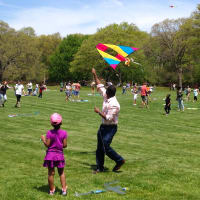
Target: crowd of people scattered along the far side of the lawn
72 92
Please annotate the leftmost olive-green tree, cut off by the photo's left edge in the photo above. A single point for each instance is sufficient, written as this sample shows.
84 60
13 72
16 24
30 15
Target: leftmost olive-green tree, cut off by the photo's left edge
19 57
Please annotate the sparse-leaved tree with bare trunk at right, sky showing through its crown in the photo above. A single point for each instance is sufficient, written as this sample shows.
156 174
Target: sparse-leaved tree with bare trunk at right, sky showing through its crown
169 46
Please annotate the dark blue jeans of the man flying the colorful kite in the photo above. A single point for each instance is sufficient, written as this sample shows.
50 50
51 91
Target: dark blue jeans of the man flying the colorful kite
104 138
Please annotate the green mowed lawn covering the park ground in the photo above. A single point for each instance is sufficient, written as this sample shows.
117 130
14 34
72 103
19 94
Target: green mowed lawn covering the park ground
162 152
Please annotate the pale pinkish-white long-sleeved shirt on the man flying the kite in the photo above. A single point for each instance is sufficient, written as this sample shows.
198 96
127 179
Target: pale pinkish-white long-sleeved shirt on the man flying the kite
110 107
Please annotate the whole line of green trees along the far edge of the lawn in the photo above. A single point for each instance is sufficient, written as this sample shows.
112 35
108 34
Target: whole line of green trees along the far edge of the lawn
168 54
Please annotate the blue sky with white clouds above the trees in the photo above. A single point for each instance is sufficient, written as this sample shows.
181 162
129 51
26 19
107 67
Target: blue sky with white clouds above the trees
85 16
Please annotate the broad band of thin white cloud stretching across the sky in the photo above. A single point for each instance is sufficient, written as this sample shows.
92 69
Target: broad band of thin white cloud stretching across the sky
48 20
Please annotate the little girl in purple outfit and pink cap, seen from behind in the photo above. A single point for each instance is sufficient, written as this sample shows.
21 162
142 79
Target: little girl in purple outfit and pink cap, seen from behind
55 141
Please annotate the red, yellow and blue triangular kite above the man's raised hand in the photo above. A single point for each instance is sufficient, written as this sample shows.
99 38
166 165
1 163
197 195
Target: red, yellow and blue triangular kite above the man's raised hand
123 52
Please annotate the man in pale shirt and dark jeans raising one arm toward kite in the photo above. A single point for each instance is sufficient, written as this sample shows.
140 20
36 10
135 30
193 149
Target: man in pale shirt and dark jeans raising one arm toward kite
108 128
